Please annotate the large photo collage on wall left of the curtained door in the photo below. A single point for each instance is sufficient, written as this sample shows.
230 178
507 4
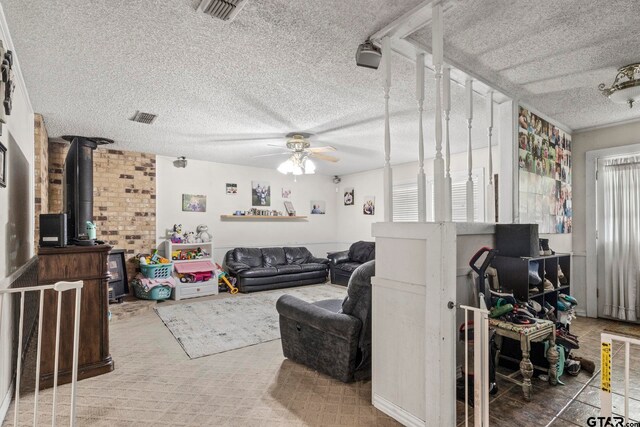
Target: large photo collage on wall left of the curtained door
544 164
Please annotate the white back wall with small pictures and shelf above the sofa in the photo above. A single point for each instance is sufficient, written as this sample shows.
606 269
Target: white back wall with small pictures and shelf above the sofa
317 232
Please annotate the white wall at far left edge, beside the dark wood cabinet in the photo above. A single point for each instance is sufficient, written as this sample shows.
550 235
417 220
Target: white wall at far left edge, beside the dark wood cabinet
16 208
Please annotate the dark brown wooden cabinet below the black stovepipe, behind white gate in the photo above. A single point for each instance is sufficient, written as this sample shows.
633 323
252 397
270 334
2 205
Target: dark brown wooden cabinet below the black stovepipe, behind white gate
89 264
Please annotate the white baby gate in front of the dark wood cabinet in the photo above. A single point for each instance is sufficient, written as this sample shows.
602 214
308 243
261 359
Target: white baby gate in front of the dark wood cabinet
59 287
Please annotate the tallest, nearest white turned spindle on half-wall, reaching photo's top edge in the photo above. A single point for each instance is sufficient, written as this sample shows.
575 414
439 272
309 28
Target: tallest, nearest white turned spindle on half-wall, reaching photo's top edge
438 162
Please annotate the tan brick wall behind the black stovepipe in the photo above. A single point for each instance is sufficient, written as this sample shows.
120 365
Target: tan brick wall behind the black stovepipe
124 197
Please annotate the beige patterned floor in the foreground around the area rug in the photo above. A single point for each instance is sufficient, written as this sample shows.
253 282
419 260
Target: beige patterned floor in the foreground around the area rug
156 384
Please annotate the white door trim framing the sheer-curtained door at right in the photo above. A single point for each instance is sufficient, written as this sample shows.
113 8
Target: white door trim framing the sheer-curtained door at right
591 262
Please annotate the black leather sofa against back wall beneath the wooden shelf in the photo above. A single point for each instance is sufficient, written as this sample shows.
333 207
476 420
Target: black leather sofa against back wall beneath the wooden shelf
260 269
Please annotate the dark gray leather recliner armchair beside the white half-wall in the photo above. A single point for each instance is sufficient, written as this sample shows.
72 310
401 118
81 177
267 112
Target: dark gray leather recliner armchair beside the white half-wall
331 336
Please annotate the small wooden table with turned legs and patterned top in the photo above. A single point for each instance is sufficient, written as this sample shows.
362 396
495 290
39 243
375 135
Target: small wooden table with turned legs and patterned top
542 330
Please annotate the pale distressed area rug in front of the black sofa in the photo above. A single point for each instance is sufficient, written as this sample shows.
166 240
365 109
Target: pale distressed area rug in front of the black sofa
208 327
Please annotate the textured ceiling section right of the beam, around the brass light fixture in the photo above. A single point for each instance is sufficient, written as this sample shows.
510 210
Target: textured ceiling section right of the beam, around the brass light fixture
550 54
